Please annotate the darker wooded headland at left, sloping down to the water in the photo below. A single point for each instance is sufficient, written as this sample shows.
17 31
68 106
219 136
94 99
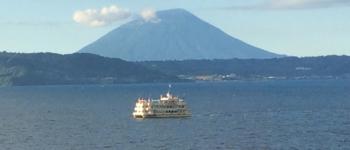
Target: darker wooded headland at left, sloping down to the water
50 69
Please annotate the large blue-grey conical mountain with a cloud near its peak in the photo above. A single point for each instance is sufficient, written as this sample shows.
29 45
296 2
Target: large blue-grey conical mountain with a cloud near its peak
175 35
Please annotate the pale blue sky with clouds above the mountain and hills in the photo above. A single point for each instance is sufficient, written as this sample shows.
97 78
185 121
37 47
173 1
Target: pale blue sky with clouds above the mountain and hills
291 27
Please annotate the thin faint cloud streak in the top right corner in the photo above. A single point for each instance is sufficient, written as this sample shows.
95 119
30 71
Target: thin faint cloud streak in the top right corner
296 4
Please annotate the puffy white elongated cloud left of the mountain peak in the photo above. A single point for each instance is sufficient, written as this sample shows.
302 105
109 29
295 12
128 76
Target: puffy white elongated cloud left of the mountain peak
101 17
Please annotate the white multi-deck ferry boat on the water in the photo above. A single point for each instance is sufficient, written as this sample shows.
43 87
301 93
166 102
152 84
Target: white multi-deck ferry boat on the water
166 106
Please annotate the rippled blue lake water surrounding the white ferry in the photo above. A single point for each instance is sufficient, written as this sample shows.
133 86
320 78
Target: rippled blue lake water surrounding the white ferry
303 114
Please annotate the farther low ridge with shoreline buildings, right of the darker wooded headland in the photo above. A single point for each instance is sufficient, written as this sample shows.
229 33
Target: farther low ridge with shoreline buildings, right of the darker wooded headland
284 68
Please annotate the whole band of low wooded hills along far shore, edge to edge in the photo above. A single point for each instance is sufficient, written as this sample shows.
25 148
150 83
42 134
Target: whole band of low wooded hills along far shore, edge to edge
81 68
